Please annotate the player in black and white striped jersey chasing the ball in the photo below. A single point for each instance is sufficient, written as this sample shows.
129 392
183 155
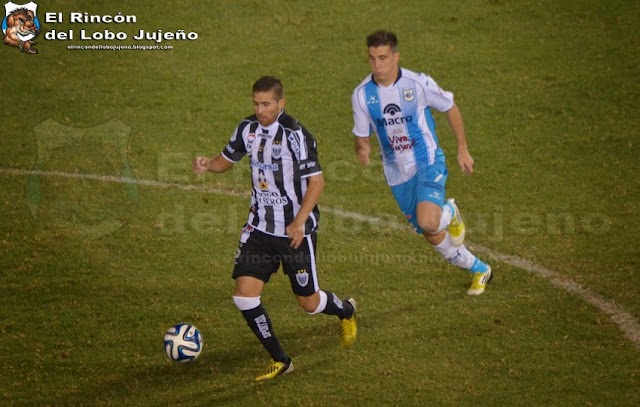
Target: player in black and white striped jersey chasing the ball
283 219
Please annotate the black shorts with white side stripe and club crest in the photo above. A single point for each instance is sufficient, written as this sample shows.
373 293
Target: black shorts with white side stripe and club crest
259 255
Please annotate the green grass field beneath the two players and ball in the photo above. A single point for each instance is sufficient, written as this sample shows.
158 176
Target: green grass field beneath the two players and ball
93 269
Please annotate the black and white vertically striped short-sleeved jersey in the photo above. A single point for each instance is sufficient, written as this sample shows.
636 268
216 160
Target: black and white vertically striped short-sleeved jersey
281 157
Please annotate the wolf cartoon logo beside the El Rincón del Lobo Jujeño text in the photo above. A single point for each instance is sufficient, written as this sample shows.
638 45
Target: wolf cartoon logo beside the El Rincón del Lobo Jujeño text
20 26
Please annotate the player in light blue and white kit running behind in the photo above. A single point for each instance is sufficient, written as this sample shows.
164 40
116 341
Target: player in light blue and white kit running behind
396 104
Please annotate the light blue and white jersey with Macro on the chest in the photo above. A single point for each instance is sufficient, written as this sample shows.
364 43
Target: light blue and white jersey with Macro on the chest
400 115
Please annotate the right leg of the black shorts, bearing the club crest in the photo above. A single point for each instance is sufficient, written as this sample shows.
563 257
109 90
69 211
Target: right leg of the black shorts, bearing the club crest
300 266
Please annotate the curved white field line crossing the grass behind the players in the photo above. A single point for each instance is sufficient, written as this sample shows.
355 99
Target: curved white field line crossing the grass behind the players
625 321
